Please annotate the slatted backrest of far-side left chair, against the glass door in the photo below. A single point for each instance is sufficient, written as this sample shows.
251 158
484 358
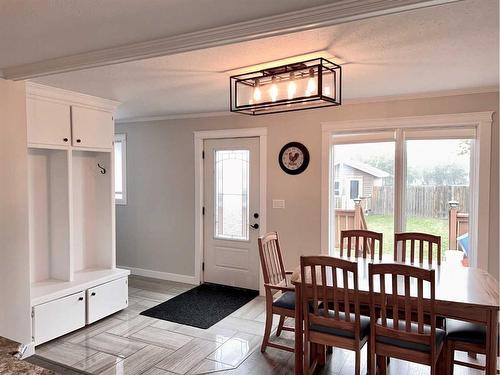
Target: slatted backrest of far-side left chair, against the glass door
363 242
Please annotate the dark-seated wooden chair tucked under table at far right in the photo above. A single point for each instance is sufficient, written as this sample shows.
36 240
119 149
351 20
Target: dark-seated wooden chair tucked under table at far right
467 337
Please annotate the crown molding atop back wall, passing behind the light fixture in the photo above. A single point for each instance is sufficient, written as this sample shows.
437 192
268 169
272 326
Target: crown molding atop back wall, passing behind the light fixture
378 99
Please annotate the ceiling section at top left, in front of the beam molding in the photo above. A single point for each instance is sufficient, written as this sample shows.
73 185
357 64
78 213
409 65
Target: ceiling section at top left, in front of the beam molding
44 29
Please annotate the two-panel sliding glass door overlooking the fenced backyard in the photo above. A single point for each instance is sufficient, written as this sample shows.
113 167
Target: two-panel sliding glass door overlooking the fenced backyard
403 180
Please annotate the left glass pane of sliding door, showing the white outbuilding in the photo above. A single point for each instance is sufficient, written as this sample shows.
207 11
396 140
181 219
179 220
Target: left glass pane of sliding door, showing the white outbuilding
364 189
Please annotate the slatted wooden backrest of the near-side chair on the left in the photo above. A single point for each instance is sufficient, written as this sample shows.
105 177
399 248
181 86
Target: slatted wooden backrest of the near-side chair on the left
341 280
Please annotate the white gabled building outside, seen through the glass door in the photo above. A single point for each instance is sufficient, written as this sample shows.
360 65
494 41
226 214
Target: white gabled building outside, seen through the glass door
355 179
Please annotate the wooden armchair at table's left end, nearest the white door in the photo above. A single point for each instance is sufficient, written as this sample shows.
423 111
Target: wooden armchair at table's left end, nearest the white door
275 281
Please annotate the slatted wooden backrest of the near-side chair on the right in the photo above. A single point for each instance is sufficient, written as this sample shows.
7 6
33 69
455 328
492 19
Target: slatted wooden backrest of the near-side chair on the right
401 297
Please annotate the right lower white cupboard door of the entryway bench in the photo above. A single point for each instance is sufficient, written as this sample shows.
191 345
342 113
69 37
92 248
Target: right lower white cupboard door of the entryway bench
107 299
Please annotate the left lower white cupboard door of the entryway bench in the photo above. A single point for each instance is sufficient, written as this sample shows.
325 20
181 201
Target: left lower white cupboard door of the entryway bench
58 317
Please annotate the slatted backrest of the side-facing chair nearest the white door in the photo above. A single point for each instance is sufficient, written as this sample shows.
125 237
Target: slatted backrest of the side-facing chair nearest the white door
271 260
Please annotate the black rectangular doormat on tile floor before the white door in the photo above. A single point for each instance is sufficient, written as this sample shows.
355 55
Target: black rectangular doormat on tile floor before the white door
202 306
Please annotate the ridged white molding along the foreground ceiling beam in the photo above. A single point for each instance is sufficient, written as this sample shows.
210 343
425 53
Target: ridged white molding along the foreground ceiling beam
312 18
